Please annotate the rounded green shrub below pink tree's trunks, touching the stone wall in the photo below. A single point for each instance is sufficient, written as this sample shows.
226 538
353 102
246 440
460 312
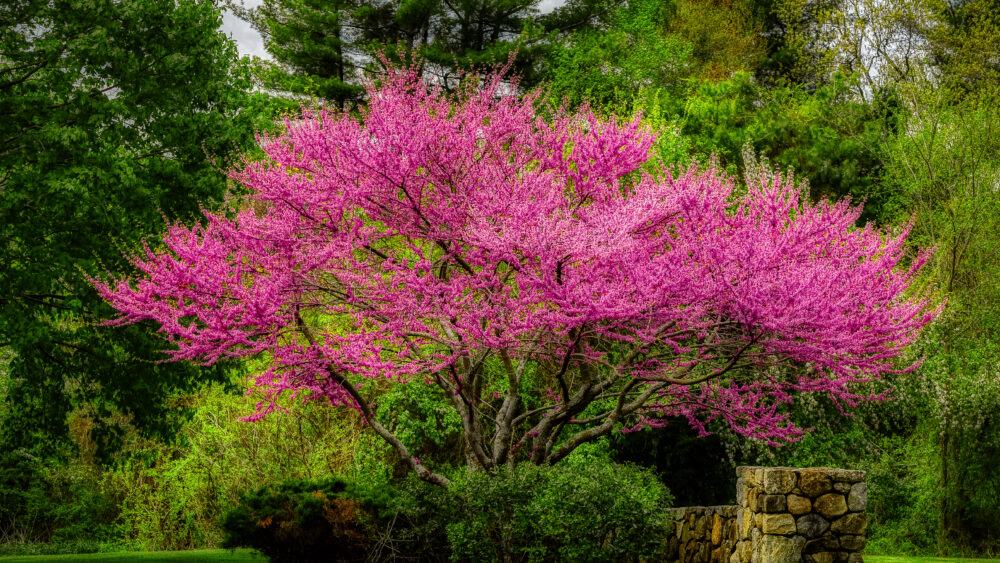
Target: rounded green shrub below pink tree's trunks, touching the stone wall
597 511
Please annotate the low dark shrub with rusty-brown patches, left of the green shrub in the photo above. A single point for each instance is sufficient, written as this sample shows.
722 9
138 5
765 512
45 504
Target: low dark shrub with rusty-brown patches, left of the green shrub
325 520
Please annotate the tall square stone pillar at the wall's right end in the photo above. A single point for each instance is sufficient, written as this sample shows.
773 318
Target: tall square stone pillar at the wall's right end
812 515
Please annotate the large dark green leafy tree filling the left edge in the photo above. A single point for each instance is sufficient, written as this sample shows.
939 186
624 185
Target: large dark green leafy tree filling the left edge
110 115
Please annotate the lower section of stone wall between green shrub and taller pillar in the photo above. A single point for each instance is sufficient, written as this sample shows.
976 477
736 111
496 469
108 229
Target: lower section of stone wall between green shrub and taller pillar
703 534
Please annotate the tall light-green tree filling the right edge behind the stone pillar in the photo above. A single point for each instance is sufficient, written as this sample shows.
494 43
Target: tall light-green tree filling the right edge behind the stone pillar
945 171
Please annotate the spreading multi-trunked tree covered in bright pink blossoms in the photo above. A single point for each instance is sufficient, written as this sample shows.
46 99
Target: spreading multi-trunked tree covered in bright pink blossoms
528 266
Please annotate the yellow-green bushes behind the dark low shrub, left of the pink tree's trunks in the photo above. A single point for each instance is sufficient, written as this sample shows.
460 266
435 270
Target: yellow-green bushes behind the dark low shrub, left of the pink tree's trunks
171 495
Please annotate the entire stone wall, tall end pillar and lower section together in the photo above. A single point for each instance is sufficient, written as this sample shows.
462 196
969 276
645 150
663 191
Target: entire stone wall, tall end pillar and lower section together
782 515
